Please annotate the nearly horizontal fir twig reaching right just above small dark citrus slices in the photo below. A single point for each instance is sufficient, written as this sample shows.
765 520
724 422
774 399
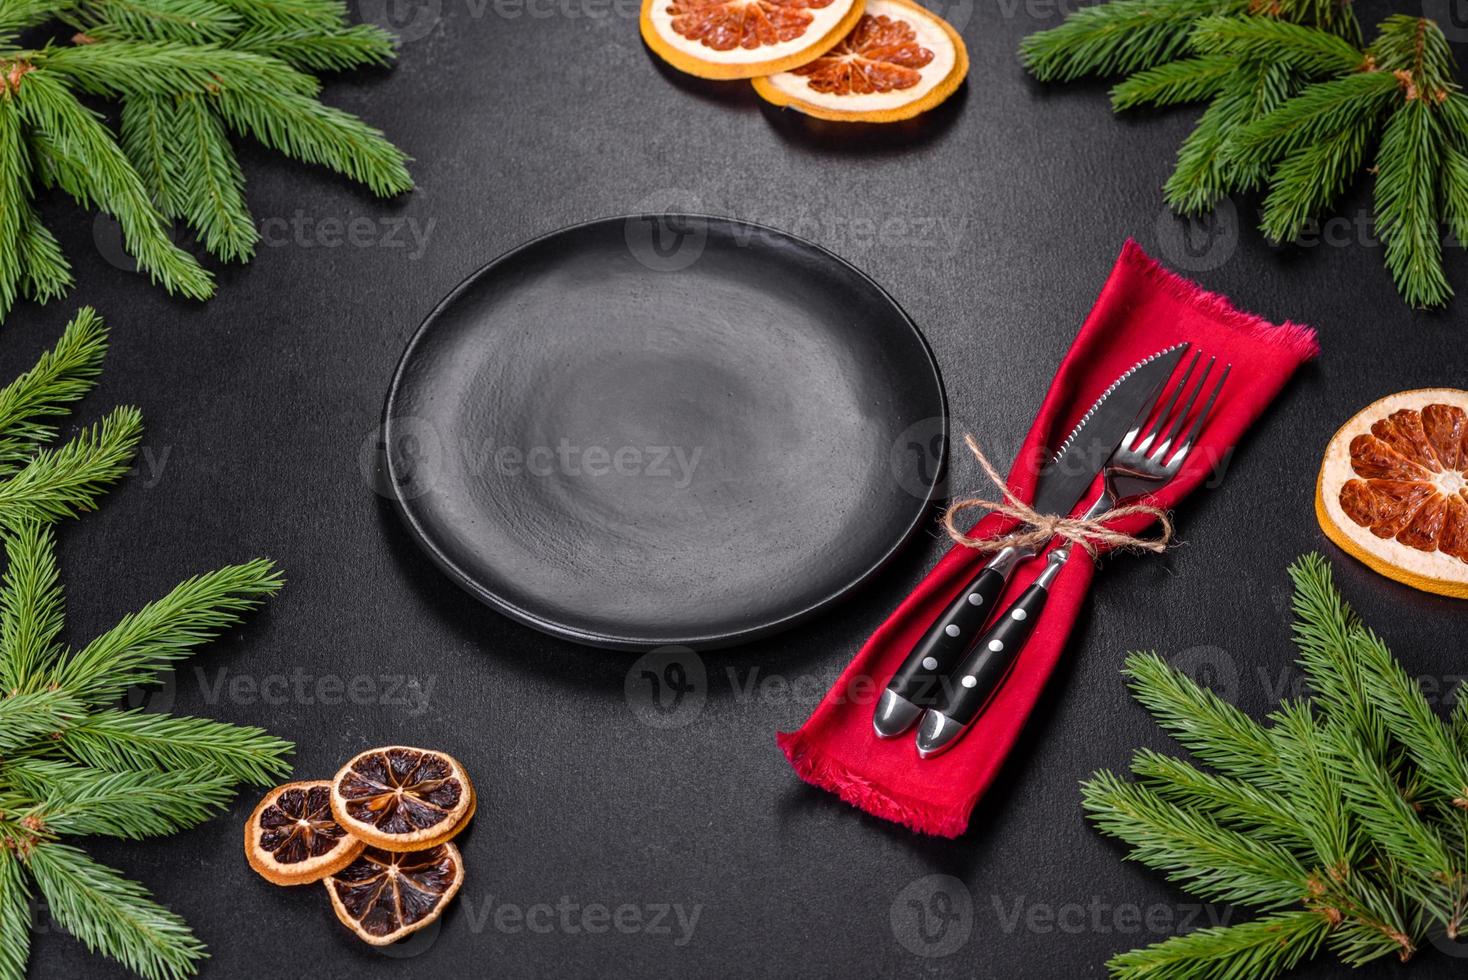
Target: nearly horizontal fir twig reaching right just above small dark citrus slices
142 740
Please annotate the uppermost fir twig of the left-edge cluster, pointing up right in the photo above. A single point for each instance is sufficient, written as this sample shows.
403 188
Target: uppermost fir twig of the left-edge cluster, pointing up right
62 376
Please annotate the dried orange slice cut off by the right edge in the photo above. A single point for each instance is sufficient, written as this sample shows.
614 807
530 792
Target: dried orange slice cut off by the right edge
1394 489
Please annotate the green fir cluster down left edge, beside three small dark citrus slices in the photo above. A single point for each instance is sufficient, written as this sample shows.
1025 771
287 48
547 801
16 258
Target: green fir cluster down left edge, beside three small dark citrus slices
71 762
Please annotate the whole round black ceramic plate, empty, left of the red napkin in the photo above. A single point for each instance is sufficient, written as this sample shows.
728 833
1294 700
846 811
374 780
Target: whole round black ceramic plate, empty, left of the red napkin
664 431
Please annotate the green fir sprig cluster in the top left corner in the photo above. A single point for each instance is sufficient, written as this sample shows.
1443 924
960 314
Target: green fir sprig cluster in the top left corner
189 74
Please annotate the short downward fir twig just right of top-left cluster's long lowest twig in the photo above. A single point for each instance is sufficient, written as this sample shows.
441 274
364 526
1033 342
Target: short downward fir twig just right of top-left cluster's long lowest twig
211 194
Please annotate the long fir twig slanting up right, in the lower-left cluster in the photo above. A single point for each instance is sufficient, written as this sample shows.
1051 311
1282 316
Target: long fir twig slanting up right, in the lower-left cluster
165 632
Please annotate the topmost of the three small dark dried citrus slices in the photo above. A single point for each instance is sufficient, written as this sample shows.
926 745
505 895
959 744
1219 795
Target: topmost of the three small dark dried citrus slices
403 799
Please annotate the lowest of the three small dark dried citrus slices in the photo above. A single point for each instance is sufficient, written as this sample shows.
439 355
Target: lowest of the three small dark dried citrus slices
382 896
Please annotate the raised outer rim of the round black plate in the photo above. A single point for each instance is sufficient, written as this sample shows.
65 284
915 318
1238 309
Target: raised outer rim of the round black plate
629 643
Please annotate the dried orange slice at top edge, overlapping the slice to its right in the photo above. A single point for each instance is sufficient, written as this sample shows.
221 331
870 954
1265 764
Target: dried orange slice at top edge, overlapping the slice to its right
744 39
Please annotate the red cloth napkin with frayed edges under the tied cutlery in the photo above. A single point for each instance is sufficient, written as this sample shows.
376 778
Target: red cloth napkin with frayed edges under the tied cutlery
1143 309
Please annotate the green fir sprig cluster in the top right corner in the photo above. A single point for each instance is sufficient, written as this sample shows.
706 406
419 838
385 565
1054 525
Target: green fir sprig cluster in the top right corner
1294 106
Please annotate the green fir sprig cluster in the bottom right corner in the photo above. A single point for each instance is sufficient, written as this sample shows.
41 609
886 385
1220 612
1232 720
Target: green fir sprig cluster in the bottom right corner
1344 821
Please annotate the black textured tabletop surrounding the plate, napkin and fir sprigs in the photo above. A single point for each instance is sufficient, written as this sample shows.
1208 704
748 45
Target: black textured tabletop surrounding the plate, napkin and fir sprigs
528 118
